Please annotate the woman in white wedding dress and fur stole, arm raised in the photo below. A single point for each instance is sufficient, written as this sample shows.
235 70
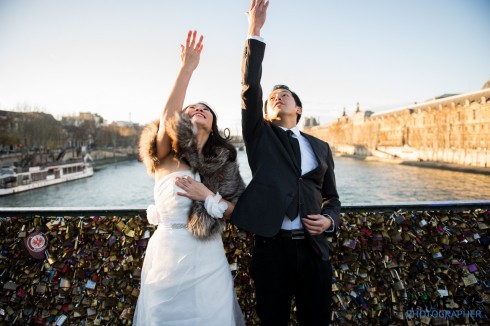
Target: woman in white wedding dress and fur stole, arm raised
186 279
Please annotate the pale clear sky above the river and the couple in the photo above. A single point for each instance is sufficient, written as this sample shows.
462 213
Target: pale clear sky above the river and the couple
119 58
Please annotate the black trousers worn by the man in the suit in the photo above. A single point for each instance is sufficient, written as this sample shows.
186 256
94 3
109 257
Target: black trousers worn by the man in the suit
282 268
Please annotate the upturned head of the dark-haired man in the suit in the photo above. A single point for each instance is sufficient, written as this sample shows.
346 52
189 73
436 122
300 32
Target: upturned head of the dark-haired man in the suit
280 104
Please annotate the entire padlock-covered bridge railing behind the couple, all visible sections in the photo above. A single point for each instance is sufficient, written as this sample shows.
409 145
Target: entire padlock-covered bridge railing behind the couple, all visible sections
397 264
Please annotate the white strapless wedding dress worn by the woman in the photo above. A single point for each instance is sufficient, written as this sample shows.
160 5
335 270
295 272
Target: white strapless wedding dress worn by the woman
184 281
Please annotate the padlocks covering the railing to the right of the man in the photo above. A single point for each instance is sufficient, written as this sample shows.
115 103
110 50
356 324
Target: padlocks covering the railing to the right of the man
412 268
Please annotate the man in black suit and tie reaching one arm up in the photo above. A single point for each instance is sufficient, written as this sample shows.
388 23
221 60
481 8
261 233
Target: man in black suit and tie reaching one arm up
292 203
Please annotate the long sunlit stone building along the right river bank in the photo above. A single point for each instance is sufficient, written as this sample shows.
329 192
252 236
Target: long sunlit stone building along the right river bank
450 128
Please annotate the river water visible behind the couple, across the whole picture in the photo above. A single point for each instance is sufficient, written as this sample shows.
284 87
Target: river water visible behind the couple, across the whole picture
126 184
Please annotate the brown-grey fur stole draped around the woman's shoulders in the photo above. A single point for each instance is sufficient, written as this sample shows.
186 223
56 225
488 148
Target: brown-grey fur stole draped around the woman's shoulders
217 172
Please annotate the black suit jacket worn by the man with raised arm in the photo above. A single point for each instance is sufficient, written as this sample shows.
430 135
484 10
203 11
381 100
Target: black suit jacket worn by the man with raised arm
276 180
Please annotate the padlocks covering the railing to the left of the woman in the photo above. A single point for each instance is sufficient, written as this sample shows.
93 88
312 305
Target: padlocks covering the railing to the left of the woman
89 273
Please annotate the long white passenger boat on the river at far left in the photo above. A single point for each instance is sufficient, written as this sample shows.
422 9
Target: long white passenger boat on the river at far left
13 181
